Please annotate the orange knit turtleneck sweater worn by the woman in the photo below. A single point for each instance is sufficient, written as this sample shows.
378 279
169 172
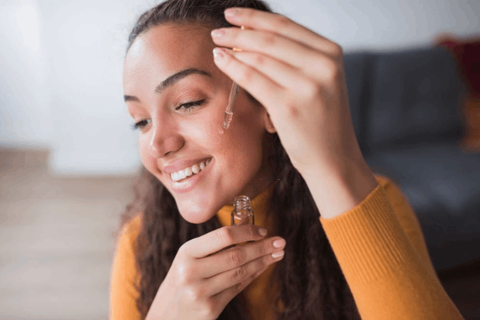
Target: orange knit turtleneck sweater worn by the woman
378 244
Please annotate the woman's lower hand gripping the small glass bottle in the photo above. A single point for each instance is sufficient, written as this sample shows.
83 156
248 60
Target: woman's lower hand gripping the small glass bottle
206 274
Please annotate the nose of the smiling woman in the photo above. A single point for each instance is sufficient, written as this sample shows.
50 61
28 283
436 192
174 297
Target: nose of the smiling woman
164 139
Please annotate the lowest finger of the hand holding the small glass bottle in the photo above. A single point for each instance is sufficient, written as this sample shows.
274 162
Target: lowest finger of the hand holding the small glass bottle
236 276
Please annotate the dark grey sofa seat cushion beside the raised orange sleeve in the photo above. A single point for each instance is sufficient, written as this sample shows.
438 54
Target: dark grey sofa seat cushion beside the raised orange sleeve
442 184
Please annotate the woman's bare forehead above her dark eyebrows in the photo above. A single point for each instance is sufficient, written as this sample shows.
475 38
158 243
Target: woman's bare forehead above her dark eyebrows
166 49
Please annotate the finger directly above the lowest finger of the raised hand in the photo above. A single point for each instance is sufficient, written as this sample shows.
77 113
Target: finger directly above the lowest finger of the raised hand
278 71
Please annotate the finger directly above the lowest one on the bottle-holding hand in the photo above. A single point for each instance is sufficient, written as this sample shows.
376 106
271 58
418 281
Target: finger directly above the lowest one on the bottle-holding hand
235 257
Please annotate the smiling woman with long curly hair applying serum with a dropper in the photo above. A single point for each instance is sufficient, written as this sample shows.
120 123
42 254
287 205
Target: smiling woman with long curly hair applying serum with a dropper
354 248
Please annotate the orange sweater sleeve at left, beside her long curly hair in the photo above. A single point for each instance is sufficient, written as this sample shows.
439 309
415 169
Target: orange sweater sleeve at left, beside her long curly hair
123 277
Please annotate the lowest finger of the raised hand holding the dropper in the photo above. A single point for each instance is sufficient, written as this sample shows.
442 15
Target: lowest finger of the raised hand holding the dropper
261 87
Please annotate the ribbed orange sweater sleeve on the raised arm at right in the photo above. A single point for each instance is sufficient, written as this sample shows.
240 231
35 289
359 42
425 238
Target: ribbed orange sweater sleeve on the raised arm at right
381 251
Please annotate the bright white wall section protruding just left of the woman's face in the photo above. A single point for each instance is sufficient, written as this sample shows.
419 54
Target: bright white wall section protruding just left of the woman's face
86 42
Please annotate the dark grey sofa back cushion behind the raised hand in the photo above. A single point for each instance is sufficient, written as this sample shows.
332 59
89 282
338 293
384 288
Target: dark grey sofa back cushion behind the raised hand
415 95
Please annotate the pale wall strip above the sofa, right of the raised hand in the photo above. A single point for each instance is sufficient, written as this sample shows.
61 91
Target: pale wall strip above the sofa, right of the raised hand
384 24
